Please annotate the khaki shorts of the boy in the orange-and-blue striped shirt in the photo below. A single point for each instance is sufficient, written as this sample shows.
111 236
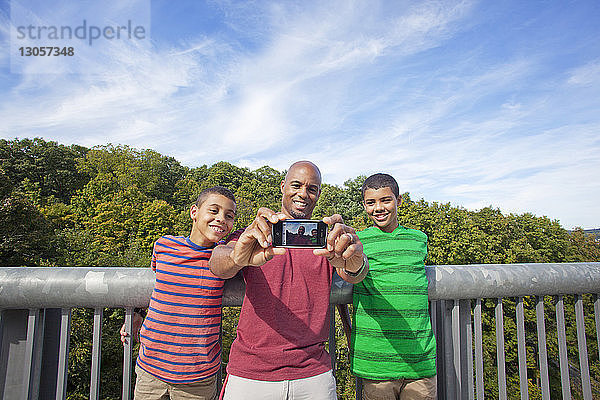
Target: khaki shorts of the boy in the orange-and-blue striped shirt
149 387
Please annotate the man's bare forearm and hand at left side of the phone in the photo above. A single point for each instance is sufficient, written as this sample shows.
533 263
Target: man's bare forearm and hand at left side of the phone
254 247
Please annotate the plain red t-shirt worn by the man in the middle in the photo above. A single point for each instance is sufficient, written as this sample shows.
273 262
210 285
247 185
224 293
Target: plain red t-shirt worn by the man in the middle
284 322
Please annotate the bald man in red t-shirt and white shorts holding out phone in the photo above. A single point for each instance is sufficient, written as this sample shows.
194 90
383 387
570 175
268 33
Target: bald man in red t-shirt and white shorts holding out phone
279 351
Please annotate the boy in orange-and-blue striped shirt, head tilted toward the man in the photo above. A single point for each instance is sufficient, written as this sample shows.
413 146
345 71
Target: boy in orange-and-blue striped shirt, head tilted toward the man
179 353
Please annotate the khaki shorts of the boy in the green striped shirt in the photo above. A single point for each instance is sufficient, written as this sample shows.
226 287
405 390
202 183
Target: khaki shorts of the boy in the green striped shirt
400 389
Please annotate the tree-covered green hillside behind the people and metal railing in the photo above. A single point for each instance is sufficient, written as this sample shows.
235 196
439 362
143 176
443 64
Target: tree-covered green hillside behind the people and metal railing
105 206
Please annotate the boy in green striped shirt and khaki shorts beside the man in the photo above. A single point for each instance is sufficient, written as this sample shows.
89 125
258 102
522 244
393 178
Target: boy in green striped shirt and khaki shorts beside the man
392 344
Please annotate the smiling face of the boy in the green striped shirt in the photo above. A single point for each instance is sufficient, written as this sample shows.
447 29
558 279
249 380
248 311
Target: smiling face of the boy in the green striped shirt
382 207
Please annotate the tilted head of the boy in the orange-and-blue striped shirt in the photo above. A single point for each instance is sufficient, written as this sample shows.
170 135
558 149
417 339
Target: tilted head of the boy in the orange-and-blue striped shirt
212 220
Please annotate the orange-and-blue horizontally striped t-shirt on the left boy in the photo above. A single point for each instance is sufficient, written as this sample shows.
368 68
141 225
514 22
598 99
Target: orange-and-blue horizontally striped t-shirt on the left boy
179 339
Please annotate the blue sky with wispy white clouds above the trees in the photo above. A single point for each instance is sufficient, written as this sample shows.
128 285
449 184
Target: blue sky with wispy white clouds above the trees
476 103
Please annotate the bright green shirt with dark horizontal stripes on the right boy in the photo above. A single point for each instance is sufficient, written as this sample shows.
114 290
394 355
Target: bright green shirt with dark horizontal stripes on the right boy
391 335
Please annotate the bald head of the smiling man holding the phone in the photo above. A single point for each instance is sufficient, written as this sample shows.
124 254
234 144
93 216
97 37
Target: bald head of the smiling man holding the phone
301 189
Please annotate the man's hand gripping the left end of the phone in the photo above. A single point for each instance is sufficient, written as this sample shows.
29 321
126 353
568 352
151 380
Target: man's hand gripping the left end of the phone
255 245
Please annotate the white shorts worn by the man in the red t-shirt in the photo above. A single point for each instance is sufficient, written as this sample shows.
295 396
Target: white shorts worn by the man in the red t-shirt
318 387
